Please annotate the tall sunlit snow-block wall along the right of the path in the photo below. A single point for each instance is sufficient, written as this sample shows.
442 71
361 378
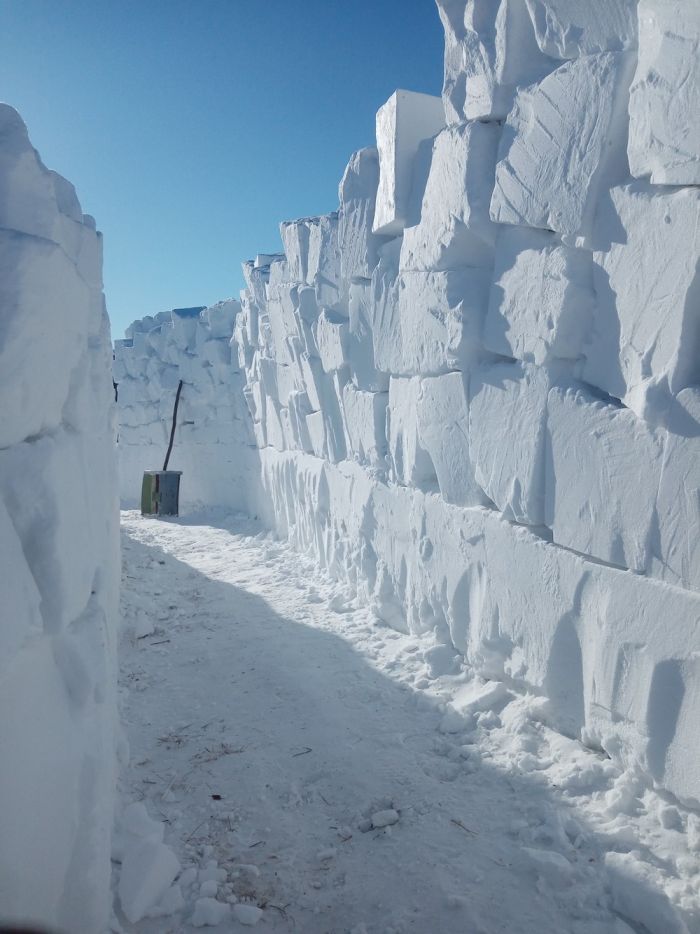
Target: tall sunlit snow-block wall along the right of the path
474 387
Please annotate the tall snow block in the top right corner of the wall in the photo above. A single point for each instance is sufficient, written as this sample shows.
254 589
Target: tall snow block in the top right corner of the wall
664 134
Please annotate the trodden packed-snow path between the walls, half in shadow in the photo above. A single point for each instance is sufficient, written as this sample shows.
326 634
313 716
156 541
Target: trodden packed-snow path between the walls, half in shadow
306 760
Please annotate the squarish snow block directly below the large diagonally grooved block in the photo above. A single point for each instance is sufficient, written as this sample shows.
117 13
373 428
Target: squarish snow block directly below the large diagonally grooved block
541 301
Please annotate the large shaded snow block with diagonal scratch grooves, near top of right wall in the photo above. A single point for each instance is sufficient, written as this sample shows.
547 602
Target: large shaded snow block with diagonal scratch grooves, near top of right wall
563 143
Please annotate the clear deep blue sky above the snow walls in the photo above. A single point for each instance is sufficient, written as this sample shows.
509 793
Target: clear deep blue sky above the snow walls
190 128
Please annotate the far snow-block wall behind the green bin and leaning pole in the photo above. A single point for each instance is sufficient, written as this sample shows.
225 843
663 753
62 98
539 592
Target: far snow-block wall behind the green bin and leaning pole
213 444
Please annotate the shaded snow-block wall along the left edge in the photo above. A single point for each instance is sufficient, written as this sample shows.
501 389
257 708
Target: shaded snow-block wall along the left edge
59 551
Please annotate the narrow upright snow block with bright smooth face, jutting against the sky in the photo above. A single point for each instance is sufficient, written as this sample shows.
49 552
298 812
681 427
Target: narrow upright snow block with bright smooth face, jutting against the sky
403 123
